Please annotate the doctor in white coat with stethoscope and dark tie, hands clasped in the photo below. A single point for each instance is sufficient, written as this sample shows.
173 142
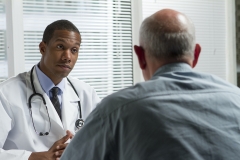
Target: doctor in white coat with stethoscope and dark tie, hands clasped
41 109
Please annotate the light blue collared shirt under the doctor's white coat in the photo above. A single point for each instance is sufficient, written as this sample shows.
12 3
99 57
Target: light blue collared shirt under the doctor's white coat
47 84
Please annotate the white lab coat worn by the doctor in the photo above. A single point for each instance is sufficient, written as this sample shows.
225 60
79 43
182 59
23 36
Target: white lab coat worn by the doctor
17 135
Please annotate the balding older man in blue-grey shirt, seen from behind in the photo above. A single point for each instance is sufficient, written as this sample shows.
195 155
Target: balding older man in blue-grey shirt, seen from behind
177 114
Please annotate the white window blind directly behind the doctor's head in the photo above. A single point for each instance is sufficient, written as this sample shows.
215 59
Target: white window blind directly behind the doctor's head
105 56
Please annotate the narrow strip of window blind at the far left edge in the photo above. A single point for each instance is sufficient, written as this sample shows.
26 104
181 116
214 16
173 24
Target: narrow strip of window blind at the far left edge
3 55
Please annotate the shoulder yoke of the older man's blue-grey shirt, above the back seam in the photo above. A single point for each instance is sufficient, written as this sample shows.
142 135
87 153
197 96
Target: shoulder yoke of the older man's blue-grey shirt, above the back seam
175 83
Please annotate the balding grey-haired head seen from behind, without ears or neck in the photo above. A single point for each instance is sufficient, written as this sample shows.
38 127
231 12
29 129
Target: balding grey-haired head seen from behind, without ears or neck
168 35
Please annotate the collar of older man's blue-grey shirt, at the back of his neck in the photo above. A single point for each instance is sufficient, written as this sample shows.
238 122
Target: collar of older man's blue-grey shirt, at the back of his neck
172 67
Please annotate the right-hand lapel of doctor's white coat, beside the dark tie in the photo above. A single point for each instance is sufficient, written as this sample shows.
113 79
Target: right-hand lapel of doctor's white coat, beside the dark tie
70 111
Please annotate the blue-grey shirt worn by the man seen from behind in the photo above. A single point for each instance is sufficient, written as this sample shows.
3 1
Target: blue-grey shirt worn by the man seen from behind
177 115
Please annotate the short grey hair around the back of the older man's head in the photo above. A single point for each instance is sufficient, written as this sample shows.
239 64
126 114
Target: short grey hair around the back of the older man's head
162 44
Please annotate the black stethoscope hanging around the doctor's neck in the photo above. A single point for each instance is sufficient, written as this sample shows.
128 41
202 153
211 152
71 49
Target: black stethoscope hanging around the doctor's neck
79 122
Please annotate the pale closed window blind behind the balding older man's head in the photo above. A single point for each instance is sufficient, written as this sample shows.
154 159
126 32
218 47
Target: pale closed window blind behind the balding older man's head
209 19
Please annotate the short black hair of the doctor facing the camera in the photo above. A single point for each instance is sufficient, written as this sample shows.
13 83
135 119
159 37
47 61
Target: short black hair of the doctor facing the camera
58 25
